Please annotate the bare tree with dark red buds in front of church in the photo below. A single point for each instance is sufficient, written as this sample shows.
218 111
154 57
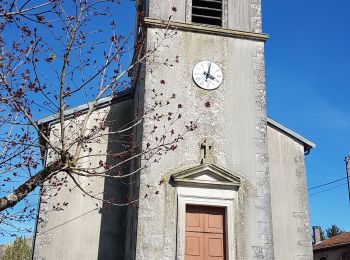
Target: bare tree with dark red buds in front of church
55 55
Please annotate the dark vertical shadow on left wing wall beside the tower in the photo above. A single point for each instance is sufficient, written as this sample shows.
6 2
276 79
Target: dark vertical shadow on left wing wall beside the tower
113 229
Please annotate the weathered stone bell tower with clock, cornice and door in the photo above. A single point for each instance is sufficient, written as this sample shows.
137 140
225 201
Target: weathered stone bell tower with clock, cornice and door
214 198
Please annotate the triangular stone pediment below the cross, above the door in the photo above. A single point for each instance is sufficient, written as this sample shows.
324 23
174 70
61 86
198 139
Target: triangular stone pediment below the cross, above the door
206 175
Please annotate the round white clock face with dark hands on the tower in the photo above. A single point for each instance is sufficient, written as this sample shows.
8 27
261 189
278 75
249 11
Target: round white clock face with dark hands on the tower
207 75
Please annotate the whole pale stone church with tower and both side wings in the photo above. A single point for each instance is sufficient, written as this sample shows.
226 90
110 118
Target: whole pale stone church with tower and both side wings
235 188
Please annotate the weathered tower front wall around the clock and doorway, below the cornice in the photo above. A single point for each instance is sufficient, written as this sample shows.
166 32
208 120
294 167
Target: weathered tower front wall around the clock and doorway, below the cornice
235 120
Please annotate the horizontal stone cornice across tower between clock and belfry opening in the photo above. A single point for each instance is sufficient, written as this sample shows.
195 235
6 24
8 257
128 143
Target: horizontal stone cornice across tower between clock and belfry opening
151 22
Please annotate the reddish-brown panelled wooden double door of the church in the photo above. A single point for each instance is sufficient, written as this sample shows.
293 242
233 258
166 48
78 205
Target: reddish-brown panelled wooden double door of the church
205 233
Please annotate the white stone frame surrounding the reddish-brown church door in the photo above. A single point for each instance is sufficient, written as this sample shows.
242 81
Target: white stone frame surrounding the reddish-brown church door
207 197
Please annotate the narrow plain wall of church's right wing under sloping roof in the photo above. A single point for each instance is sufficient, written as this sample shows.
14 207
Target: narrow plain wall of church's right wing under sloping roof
290 212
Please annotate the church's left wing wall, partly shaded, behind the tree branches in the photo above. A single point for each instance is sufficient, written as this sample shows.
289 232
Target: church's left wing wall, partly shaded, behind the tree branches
81 230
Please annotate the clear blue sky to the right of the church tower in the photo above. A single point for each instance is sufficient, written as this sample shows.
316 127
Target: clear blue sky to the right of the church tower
307 74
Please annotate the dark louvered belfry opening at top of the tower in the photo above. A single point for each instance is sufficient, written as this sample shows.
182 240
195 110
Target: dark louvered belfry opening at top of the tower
207 12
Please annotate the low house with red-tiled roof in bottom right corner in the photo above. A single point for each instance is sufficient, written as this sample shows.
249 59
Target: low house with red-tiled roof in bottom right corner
334 248
